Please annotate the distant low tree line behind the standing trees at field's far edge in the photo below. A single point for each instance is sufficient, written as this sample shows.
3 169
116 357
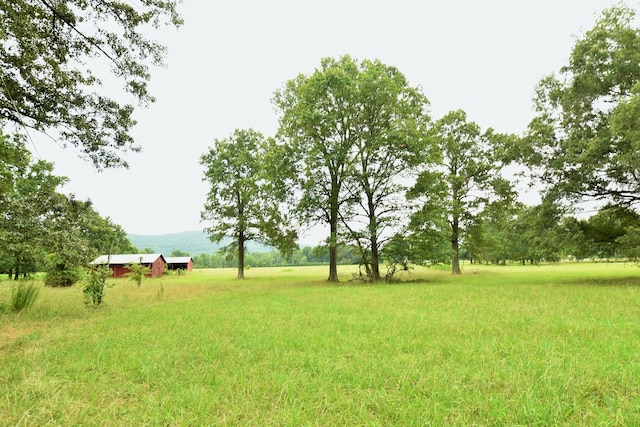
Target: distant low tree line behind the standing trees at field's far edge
525 234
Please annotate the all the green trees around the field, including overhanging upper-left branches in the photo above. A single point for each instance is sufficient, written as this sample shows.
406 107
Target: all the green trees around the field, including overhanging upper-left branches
356 150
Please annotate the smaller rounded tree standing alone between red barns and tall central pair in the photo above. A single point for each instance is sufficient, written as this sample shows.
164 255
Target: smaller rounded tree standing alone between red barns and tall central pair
247 174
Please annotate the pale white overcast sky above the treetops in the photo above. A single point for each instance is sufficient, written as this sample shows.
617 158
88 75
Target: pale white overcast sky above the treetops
224 64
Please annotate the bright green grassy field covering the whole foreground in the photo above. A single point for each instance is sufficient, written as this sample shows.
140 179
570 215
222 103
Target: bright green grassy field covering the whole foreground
514 345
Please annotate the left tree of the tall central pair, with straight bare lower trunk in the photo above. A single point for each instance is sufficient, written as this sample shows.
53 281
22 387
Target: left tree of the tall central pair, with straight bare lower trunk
317 113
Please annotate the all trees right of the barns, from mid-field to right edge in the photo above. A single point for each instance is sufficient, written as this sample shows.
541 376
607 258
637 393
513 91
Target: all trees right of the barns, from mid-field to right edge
357 151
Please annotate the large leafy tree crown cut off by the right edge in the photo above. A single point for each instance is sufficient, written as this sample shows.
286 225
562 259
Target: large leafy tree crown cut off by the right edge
584 140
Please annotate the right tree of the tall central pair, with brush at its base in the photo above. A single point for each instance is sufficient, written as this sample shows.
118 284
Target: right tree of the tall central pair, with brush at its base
389 139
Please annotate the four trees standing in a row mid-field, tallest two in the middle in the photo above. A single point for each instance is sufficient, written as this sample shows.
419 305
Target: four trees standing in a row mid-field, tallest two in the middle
352 136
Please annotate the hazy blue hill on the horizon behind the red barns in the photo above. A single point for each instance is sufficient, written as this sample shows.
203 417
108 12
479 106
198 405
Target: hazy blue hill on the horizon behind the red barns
192 242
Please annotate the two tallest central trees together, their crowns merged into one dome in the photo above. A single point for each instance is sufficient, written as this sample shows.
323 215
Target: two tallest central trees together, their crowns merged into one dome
353 127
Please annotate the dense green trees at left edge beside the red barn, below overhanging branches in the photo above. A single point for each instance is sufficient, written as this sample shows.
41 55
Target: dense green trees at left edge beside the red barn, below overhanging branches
42 229
